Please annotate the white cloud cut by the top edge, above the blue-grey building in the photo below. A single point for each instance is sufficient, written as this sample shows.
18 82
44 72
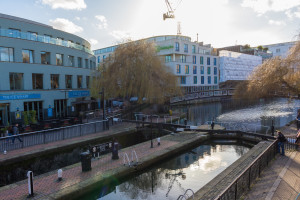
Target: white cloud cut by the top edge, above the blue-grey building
66 4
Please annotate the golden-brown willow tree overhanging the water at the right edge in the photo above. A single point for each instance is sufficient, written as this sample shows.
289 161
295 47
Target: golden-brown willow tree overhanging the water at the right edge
274 75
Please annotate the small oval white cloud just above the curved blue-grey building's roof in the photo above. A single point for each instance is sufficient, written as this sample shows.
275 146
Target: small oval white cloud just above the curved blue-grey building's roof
65 25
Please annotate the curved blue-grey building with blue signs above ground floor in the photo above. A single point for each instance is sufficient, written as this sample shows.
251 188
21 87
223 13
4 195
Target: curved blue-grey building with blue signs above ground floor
42 69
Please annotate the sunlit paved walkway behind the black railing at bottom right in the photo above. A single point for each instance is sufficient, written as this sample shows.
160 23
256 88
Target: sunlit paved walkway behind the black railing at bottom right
281 180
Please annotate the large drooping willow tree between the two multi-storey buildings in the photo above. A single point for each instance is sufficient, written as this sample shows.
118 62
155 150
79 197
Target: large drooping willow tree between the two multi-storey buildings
135 70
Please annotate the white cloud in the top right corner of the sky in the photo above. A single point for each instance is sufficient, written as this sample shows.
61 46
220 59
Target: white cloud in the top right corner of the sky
263 6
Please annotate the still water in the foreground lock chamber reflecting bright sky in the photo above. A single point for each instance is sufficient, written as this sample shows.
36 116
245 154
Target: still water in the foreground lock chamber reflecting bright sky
168 180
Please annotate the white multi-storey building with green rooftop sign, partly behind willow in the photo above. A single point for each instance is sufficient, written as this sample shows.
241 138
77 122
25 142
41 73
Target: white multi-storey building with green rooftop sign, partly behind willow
195 64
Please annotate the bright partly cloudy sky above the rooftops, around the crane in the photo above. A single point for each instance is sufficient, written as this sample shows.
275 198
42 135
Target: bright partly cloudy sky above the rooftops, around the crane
217 22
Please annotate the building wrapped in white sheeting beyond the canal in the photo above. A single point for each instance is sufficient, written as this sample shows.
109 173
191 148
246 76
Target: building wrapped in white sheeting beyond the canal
237 66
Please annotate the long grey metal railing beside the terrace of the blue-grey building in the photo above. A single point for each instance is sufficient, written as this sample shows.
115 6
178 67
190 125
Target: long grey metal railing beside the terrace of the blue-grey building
51 135
